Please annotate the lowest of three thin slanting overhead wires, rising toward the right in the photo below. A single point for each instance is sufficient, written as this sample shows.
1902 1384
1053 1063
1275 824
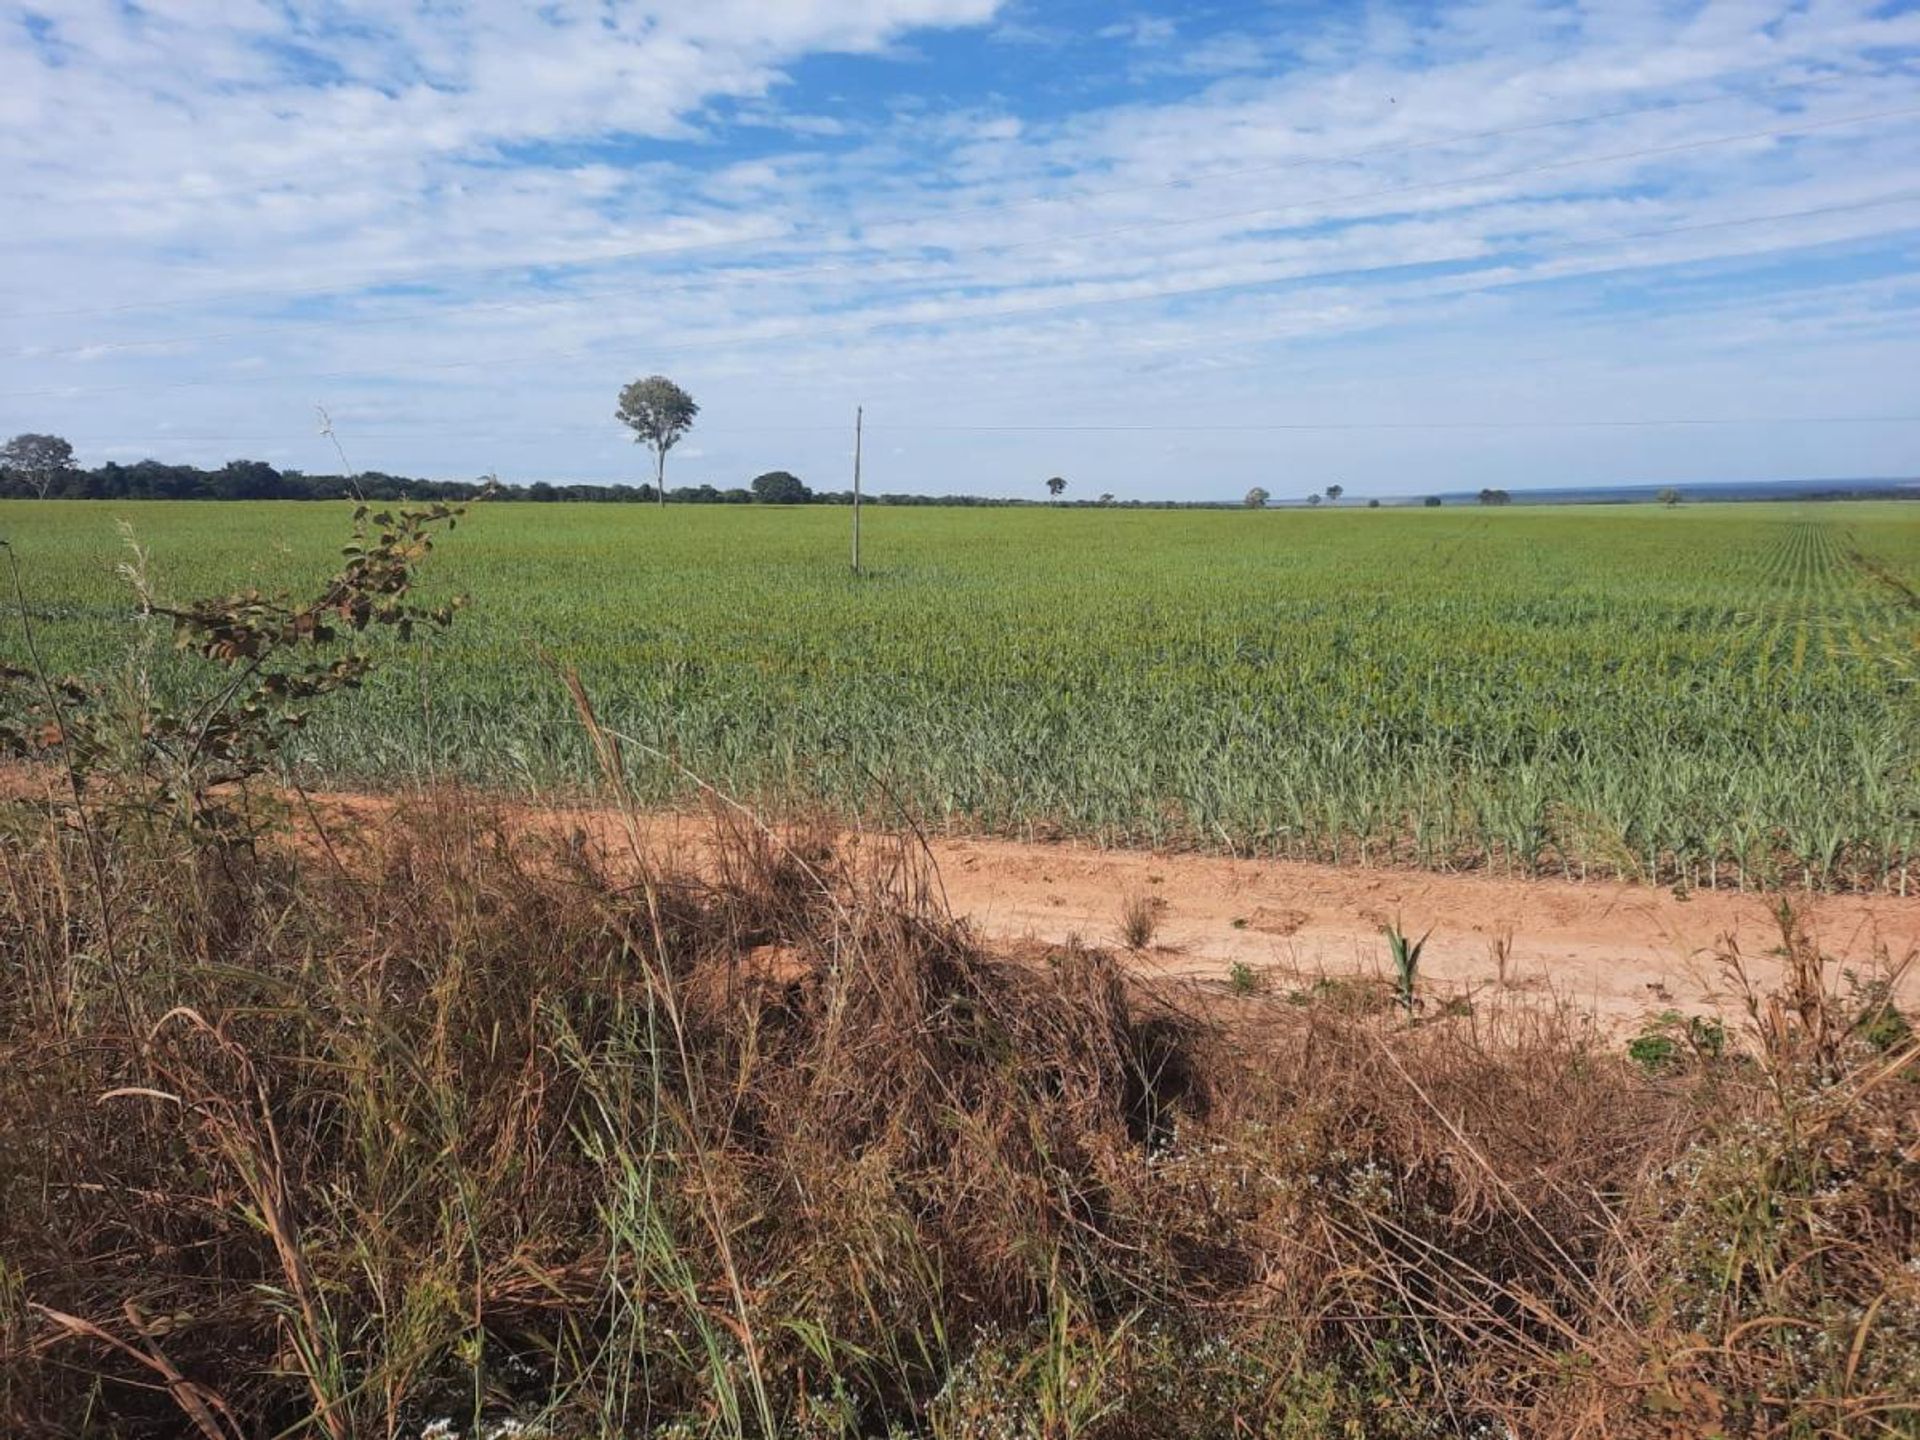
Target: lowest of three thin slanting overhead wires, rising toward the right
867 327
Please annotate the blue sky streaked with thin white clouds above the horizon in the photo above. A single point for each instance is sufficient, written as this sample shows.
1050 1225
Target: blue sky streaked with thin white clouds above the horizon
1163 251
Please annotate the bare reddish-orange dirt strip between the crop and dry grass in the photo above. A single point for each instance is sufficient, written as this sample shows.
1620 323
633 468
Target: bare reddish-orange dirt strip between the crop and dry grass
1616 951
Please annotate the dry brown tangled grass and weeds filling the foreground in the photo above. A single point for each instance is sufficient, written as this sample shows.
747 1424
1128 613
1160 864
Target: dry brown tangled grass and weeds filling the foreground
464 1122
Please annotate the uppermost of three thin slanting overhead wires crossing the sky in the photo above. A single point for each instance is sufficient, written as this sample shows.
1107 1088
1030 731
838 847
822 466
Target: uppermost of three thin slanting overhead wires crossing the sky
907 222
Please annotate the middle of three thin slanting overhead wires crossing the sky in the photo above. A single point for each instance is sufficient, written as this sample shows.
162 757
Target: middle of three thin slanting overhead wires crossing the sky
1289 208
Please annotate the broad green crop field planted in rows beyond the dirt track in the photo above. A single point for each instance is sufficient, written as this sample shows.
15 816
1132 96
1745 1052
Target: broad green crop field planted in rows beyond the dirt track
1712 694
